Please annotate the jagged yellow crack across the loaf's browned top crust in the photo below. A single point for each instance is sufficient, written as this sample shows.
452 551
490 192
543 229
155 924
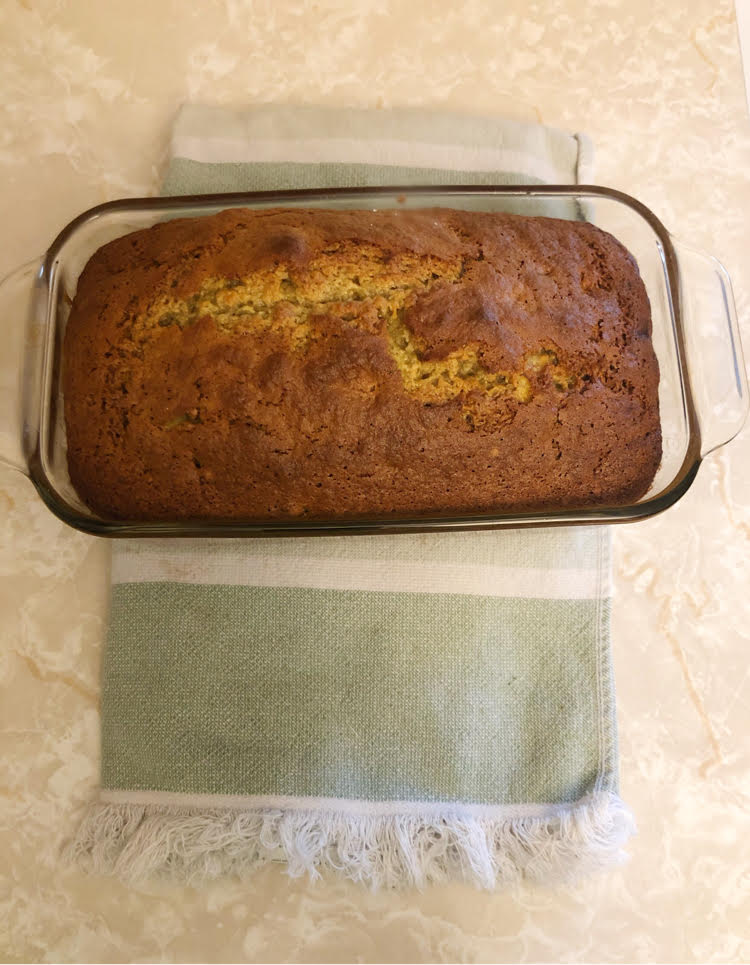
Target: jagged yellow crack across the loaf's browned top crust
273 302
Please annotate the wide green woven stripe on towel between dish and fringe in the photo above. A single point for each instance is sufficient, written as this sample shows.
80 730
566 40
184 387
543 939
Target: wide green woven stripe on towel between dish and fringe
374 689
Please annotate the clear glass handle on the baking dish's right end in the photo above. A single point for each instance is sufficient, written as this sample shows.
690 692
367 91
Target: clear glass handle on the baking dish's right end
714 351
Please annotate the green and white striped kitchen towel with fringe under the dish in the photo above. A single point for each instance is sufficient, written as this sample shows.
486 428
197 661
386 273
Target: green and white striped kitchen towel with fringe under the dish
397 709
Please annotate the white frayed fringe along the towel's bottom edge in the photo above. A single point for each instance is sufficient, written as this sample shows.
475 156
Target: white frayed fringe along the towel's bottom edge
138 842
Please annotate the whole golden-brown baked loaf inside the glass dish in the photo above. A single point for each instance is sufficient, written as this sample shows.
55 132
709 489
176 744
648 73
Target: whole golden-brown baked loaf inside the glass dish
313 364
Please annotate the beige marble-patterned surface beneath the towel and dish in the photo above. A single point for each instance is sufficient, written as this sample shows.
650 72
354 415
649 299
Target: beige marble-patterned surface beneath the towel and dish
89 89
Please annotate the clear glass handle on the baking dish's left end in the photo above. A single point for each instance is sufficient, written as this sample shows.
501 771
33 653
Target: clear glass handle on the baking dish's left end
16 291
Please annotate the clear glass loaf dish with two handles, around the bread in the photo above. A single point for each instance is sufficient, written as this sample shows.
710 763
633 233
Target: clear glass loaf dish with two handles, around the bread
702 392
